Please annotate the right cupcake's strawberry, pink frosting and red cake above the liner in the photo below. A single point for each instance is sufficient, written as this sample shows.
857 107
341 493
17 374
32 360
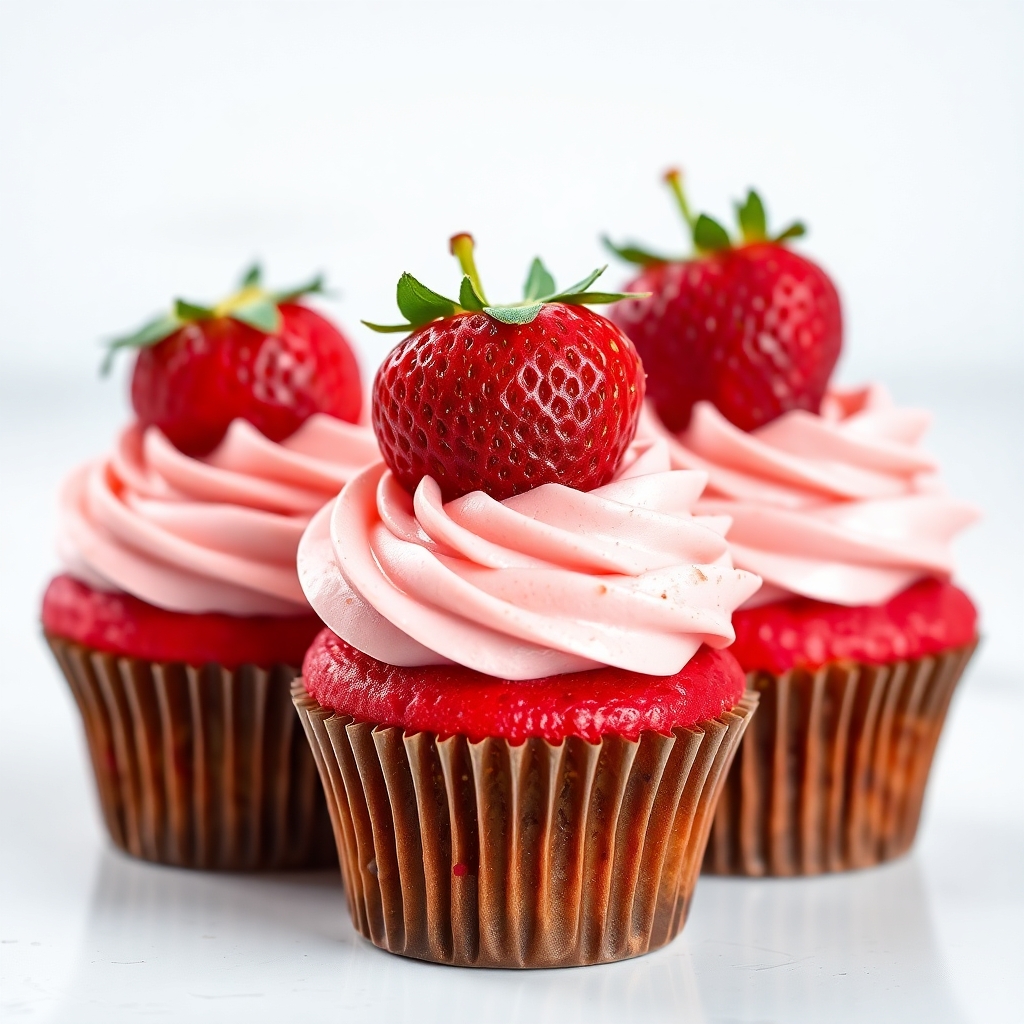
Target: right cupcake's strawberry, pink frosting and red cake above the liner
831 495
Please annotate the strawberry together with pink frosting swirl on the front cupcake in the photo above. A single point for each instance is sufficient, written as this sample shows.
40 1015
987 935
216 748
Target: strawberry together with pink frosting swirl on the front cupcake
516 528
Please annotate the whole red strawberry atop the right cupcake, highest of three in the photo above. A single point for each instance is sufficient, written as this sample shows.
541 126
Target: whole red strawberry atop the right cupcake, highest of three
751 327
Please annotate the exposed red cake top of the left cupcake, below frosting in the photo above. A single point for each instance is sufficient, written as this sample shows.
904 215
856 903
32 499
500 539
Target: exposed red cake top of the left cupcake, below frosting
122 625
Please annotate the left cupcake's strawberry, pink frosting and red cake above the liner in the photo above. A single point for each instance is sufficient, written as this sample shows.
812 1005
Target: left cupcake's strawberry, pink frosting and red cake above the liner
245 426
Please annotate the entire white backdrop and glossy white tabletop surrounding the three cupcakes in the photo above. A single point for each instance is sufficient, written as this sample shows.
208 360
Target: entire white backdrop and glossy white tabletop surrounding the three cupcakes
151 150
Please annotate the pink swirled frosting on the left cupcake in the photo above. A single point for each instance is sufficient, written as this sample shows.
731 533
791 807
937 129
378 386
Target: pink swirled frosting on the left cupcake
218 534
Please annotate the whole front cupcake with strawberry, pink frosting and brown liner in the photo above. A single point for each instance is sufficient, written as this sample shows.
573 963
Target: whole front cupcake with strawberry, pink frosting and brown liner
521 708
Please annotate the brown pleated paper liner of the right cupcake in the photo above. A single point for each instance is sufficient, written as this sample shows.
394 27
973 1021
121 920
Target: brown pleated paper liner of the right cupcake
832 774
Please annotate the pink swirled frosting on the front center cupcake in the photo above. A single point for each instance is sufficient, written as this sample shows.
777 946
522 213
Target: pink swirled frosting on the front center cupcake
548 582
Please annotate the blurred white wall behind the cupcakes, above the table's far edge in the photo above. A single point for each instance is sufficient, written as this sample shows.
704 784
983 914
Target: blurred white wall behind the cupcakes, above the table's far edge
153 149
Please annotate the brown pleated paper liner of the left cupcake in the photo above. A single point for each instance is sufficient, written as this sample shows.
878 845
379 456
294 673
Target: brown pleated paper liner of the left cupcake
200 767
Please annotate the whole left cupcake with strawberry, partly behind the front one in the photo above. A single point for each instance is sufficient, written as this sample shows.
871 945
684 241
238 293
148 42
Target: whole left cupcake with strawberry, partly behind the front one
179 621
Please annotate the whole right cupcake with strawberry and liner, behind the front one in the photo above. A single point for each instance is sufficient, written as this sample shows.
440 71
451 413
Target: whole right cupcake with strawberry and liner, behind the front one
858 638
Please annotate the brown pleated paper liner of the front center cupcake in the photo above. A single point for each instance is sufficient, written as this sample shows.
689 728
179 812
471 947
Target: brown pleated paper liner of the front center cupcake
488 855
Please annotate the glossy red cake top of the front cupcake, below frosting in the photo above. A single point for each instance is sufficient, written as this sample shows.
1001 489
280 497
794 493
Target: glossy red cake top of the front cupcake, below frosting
451 700
